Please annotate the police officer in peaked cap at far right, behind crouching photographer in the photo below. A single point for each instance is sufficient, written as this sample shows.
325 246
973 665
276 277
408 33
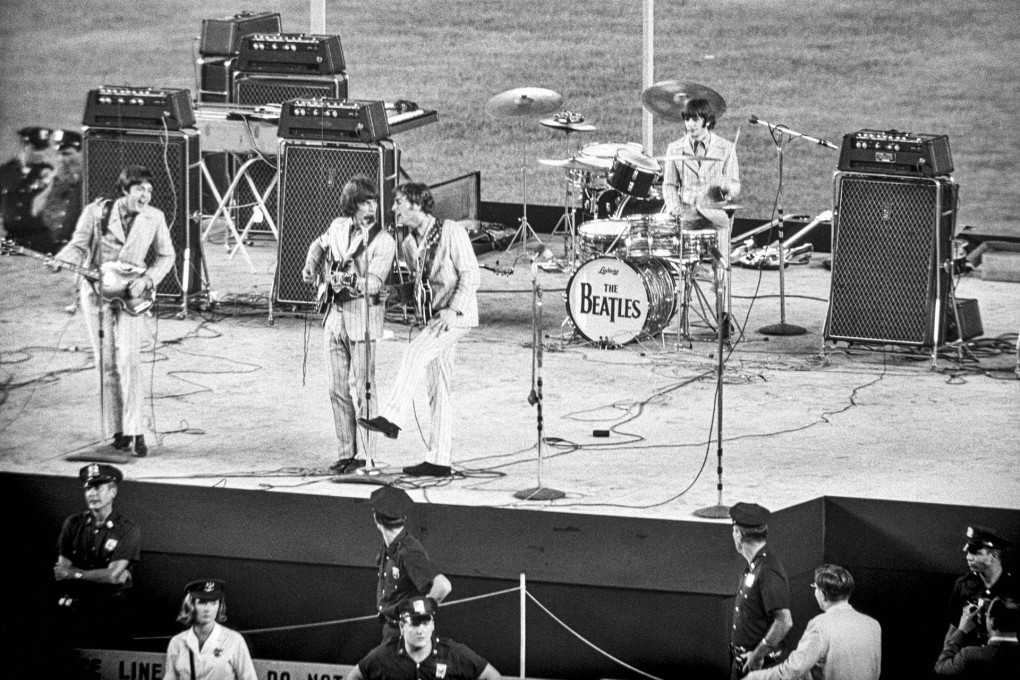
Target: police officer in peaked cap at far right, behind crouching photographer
986 580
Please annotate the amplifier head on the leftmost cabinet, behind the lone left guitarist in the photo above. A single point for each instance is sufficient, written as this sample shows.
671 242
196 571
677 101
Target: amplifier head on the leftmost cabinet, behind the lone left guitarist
151 109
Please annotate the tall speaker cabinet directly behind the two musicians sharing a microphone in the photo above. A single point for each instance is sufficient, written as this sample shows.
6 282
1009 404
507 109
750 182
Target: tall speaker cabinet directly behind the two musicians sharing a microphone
313 177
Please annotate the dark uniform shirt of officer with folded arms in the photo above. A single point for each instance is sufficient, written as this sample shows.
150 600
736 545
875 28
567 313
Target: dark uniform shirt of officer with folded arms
92 546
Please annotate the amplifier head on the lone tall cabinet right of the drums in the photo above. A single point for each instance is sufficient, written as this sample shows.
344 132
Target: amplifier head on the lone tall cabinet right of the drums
893 152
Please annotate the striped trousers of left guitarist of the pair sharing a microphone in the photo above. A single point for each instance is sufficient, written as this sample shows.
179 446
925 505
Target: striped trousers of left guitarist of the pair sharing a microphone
346 359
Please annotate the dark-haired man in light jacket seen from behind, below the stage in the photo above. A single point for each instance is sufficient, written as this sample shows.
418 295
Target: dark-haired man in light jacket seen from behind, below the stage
841 644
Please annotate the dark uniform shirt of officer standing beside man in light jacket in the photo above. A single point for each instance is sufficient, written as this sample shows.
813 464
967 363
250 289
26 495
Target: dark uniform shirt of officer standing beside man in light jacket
764 589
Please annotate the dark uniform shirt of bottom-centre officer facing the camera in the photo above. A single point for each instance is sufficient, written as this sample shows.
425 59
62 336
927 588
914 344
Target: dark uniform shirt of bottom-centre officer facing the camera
449 661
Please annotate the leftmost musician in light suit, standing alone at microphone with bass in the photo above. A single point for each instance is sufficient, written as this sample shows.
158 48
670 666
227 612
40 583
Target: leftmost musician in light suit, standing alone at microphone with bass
131 236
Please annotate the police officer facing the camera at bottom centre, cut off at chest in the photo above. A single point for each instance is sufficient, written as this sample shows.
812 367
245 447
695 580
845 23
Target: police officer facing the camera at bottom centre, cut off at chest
420 655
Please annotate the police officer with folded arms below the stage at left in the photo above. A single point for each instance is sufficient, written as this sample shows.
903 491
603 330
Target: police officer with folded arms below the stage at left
96 552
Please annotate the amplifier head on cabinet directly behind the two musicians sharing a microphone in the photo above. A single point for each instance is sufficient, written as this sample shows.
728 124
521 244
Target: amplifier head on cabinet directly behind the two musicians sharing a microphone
334 120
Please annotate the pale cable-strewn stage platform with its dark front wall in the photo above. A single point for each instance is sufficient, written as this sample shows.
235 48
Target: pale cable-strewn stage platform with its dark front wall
865 456
